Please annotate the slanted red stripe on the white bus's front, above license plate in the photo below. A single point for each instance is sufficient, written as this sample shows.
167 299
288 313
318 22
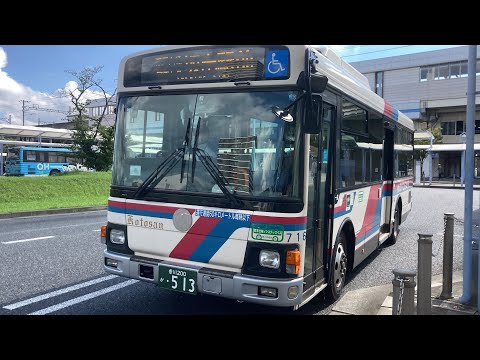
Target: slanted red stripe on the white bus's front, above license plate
195 236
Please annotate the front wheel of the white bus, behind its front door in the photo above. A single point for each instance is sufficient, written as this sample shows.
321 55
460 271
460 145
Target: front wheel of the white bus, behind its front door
338 270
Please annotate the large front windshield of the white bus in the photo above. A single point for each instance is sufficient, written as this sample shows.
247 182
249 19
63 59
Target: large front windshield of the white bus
199 142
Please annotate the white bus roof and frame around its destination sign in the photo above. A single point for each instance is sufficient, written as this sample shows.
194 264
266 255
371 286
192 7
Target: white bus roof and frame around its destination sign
341 76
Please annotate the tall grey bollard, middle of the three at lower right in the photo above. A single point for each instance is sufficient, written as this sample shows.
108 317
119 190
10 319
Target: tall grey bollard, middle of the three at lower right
424 290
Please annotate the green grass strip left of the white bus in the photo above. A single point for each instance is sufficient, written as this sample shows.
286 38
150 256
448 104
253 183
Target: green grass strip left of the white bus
53 192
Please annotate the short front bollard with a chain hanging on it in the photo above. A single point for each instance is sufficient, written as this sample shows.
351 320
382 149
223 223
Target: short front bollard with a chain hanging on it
403 292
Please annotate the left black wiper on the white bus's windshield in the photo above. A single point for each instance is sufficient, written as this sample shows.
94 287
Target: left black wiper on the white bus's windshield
164 168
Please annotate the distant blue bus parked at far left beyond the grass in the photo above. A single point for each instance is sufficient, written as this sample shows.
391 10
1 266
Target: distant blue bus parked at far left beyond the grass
24 160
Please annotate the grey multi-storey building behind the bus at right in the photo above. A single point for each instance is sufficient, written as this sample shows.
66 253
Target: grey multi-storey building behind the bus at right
430 88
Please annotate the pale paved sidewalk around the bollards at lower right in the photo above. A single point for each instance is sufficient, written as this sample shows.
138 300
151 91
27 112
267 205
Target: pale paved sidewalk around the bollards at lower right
378 300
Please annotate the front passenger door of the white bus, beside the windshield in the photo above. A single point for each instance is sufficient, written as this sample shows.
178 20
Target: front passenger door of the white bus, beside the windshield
319 187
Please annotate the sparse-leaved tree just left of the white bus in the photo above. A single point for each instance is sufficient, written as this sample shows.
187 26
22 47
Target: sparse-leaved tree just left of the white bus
92 141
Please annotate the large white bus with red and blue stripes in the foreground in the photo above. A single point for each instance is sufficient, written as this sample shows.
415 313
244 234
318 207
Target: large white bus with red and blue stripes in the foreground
258 173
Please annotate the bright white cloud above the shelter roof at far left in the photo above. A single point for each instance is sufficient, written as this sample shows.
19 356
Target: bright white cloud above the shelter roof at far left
13 92
